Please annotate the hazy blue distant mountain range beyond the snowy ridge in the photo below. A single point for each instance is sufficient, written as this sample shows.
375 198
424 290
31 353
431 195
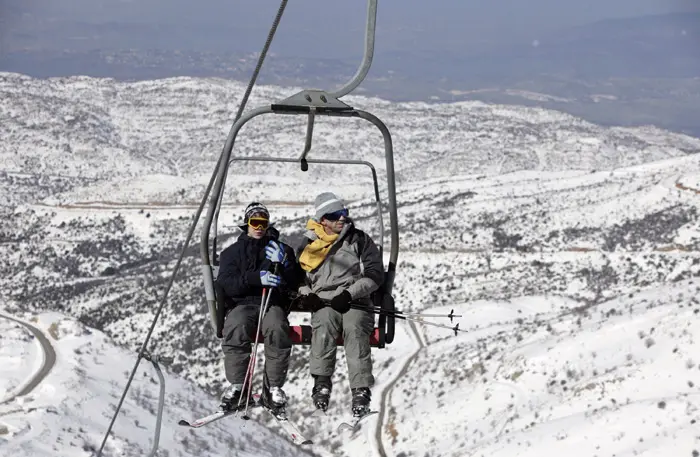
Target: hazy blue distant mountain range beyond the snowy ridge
630 71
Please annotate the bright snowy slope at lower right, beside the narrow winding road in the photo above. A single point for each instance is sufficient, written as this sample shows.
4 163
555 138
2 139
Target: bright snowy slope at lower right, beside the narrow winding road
546 375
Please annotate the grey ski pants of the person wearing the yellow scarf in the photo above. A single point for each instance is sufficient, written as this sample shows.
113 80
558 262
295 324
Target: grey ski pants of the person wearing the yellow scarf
355 326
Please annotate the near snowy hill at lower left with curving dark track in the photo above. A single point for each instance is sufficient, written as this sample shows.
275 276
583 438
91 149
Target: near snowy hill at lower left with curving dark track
69 412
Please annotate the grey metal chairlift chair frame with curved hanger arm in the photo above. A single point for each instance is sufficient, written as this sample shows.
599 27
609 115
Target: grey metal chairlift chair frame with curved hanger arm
311 103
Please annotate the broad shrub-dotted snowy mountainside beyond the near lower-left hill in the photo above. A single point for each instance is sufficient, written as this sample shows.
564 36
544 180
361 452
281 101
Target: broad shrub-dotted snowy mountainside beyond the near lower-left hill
561 242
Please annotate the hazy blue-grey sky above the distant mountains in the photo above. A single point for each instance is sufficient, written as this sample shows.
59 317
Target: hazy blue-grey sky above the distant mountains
334 27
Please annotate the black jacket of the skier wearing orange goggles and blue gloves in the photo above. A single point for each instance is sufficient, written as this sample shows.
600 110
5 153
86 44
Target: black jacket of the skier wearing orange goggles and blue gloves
240 267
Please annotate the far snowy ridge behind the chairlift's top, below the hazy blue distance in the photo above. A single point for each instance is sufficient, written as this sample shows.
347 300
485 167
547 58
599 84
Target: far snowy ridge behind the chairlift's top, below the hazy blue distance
73 130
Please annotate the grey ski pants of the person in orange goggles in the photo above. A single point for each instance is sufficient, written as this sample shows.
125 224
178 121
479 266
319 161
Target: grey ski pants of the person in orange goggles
239 334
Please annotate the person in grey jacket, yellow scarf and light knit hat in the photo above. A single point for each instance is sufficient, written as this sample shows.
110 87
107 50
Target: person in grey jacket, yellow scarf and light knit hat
342 265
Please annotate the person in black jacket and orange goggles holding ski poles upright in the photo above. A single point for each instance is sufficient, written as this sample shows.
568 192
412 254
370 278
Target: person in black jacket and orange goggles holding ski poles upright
246 270
